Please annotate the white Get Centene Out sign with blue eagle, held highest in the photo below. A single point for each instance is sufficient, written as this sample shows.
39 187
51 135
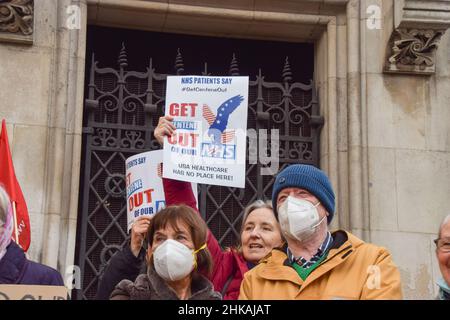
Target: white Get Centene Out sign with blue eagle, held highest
209 144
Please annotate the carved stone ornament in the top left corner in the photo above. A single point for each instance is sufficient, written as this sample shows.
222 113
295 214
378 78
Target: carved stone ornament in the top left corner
16 21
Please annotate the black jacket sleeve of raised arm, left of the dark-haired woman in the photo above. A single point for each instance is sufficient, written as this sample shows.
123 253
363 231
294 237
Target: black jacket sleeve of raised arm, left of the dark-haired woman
122 265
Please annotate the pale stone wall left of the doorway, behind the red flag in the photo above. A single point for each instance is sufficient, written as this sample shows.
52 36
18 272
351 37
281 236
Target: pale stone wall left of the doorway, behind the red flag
26 82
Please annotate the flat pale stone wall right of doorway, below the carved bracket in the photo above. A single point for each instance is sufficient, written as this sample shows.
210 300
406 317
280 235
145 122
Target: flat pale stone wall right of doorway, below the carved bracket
408 148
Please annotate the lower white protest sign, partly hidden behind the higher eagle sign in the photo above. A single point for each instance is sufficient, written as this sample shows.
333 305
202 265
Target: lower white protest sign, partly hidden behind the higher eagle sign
145 193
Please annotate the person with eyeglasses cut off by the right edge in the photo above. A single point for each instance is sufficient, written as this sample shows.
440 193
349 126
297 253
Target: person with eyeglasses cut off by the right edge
443 256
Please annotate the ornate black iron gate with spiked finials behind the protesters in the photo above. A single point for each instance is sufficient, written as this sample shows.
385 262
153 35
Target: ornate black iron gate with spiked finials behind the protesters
121 112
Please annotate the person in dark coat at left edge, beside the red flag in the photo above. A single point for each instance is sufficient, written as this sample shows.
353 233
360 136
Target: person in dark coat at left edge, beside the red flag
15 268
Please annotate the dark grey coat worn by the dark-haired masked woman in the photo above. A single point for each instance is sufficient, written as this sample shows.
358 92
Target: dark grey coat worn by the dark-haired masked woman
151 286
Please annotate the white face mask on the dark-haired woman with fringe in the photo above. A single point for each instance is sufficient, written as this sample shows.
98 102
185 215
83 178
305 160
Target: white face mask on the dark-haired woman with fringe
173 260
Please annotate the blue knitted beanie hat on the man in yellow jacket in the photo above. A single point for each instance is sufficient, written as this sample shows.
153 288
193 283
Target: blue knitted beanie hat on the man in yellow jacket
309 178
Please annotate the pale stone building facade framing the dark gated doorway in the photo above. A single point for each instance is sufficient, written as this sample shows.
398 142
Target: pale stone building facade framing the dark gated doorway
382 75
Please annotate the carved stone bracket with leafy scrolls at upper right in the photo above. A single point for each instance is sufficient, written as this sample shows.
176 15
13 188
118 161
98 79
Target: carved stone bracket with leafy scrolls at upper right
419 26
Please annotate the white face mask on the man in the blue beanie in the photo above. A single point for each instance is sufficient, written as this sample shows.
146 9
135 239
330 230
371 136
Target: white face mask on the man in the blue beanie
299 218
